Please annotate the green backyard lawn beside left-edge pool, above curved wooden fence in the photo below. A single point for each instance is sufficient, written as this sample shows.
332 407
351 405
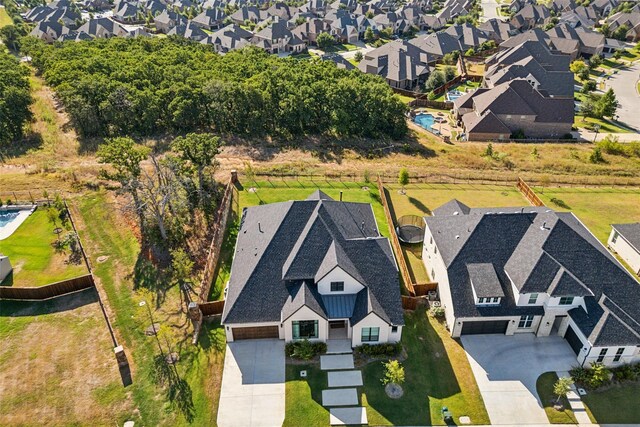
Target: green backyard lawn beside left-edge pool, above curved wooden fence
35 262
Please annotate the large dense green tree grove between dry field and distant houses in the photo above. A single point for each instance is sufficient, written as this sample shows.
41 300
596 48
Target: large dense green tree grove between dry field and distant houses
142 86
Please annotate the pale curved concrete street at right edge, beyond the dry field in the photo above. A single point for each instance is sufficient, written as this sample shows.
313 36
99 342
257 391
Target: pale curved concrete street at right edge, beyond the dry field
623 84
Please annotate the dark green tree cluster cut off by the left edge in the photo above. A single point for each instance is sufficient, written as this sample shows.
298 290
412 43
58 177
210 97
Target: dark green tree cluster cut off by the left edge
15 98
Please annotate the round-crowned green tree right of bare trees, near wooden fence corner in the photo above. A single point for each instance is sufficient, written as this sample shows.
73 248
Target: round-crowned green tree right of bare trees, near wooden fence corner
198 151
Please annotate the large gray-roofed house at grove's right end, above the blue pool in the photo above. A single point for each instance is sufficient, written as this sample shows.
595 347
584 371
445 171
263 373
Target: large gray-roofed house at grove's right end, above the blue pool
402 64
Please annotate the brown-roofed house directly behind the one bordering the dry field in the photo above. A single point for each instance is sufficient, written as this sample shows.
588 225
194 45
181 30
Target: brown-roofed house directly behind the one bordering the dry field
544 70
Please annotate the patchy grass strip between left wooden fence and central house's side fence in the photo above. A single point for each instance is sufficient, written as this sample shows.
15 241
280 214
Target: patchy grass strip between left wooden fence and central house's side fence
199 366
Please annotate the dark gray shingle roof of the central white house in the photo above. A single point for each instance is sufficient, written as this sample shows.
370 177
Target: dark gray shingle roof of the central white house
282 245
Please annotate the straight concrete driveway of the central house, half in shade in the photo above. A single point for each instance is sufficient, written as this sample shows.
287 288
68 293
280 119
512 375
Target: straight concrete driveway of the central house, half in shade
252 392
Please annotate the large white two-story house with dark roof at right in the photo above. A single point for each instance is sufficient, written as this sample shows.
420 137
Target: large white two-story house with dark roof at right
532 270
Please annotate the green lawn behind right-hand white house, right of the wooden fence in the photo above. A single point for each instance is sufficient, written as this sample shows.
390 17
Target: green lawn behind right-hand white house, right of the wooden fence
597 208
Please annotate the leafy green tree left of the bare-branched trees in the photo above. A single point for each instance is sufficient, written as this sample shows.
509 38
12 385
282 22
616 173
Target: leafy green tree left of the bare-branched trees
124 156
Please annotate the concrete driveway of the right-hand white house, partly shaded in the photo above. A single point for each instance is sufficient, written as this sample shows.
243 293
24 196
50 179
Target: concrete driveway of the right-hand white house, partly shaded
506 369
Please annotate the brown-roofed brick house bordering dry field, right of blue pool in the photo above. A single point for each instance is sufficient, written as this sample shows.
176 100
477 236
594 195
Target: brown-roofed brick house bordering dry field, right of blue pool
510 107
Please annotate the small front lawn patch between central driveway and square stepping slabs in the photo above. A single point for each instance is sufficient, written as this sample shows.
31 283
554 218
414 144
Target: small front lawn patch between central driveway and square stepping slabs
304 396
